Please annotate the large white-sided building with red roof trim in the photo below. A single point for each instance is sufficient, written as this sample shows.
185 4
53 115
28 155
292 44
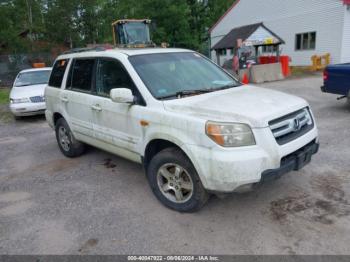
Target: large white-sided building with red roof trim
308 27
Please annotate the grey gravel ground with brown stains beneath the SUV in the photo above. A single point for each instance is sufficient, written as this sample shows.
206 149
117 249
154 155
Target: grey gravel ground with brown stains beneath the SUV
101 204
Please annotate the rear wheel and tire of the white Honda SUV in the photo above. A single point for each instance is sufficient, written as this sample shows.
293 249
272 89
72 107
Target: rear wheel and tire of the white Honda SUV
69 146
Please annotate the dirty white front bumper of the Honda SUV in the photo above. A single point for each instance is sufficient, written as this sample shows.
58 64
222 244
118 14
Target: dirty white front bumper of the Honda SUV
227 170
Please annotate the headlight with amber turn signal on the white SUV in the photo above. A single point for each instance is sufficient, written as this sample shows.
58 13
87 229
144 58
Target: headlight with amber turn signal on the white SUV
230 134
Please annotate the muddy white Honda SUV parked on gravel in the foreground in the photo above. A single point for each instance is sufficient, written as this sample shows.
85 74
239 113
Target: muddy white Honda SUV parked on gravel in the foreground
195 128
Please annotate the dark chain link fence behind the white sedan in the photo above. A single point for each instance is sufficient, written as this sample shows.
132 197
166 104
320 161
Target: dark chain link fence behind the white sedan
11 65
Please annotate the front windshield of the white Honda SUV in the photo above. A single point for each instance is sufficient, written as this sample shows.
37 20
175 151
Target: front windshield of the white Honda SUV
174 74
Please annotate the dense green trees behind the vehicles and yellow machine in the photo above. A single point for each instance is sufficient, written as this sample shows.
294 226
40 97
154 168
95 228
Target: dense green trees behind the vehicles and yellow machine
75 23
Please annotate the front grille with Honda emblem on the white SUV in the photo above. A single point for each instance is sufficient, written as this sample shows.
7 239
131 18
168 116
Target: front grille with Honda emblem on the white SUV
292 126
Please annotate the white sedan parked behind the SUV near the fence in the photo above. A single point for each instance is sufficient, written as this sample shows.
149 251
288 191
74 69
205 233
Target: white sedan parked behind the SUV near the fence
27 94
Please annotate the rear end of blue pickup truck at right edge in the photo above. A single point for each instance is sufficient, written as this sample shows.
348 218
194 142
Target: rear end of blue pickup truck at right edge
337 80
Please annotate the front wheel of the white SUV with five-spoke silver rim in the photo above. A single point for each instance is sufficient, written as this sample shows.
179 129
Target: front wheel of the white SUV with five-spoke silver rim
182 190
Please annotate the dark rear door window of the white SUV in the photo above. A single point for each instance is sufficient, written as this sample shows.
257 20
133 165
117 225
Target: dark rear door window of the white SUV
82 74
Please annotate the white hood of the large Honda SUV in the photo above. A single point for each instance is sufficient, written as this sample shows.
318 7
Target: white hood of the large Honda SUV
245 104
